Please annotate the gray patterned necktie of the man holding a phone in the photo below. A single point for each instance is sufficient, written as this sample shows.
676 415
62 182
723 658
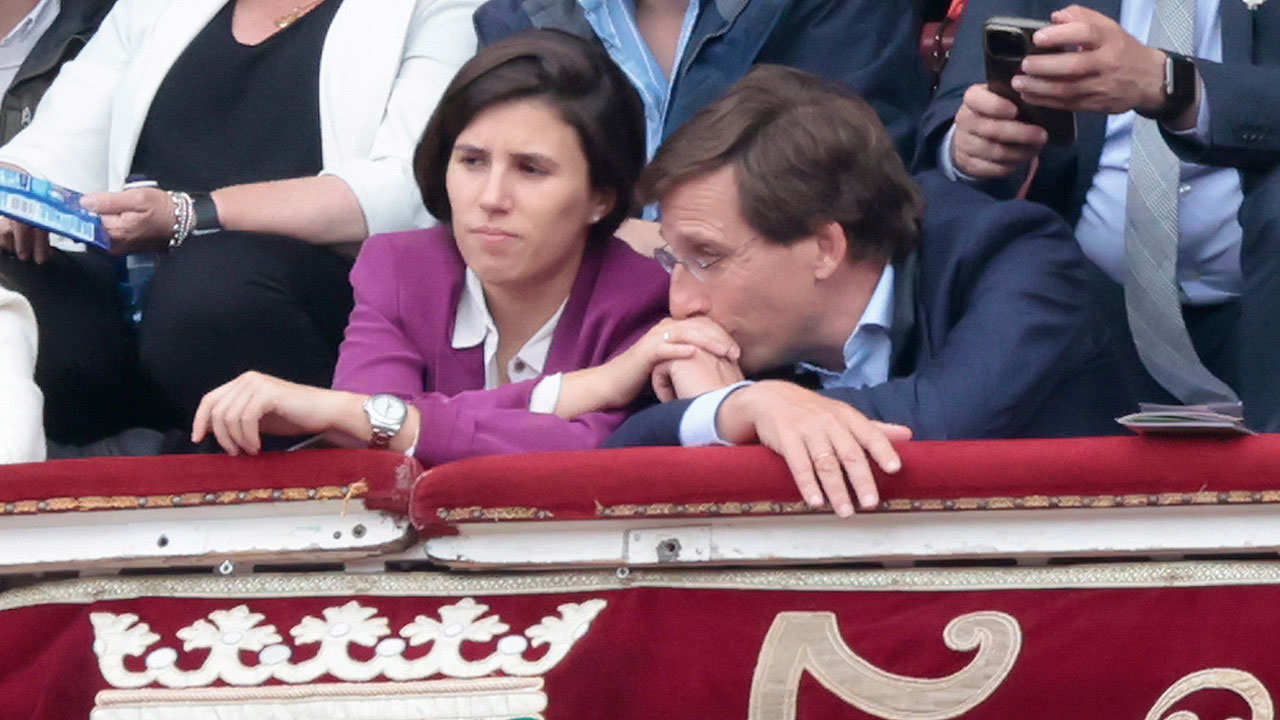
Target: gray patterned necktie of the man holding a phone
1151 240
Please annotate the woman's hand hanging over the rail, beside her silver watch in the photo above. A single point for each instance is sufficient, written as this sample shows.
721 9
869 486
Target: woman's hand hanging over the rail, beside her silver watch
239 412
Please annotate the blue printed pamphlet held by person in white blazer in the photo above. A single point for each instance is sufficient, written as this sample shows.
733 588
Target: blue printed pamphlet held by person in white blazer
51 207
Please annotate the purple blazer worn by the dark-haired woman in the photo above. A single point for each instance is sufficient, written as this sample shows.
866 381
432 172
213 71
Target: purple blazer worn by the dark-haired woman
408 288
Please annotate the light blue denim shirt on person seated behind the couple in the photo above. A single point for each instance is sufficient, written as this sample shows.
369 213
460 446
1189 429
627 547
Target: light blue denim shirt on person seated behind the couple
615 24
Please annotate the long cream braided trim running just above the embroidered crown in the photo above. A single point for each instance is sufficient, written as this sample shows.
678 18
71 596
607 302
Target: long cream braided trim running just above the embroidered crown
803 580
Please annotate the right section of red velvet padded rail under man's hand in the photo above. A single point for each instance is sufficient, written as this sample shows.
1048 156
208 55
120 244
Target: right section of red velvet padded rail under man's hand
936 476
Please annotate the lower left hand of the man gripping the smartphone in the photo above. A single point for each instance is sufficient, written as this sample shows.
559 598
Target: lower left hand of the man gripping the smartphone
990 142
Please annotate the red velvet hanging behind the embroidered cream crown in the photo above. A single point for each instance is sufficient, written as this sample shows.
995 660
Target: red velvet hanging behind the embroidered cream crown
688 653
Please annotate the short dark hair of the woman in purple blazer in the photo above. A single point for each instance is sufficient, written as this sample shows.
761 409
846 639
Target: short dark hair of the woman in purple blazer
572 75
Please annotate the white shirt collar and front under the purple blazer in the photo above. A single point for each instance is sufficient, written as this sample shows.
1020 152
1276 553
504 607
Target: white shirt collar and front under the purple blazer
474 326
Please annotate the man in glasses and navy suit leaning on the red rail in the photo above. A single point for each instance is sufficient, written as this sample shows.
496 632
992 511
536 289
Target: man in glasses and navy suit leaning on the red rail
793 226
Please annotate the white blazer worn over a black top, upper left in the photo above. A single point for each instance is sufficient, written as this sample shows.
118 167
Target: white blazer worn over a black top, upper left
383 69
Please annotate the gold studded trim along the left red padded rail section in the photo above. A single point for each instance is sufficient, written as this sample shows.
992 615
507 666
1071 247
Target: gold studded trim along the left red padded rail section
89 504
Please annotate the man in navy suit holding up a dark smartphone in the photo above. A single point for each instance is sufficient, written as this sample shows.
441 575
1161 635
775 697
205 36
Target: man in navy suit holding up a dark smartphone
1224 125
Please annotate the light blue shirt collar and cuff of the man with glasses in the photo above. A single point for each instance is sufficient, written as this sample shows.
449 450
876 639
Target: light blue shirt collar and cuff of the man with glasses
867 354
